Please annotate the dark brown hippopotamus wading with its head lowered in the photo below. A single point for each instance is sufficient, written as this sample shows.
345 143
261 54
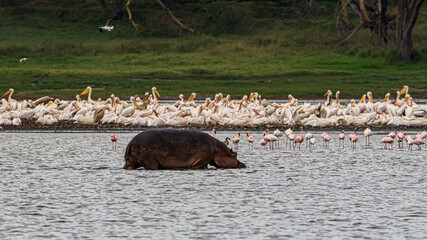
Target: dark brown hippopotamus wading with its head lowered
178 149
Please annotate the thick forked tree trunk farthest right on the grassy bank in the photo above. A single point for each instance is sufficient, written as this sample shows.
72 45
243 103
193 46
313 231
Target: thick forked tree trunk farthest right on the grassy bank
407 14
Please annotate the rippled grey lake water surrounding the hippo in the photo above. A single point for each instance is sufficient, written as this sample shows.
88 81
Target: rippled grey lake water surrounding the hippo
71 185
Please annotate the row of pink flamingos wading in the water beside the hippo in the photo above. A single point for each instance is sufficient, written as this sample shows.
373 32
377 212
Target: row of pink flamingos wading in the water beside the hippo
272 140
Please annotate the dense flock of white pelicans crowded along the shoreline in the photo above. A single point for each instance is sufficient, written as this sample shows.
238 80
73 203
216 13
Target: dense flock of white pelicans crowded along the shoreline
249 111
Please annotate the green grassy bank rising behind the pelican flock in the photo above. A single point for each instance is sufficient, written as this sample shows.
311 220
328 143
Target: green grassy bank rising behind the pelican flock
243 47
